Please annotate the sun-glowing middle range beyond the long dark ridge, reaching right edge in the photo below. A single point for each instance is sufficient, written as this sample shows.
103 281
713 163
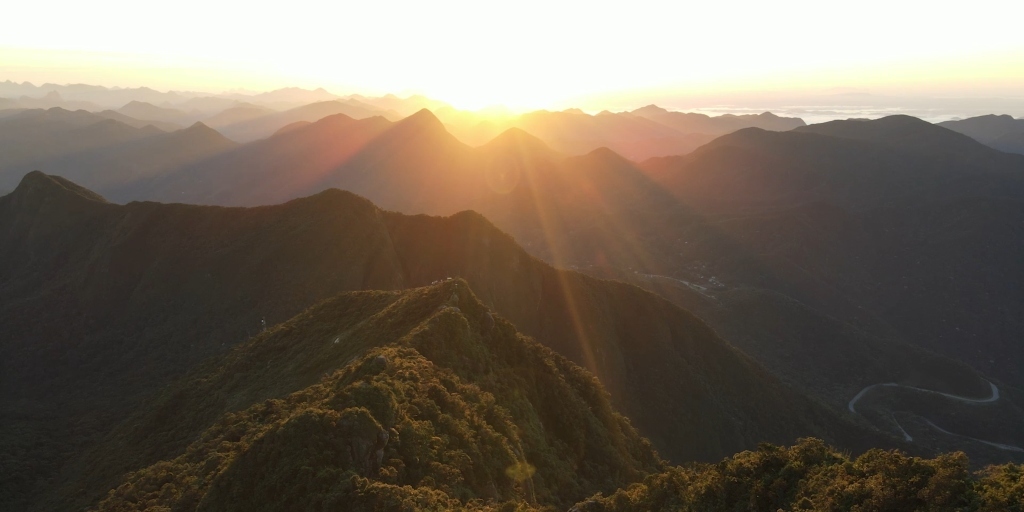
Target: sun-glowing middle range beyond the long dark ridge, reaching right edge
822 227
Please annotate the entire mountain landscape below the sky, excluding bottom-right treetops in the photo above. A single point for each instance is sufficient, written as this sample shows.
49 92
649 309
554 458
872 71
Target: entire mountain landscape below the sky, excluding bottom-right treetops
855 281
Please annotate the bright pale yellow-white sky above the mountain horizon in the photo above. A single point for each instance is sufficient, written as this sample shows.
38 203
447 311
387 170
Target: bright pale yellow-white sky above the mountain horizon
524 54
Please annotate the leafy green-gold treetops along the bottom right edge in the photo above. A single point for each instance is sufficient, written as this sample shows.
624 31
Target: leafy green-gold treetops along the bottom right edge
815 477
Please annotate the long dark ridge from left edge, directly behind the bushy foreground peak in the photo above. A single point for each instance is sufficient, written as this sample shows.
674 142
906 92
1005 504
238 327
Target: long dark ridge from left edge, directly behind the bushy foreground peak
108 304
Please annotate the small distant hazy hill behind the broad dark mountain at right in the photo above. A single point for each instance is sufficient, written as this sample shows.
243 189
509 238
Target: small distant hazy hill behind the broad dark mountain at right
720 125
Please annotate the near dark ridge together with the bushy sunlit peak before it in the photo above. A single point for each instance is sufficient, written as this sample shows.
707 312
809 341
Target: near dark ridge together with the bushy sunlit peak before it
201 405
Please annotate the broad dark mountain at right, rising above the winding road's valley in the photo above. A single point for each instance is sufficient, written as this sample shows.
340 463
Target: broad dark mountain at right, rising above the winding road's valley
922 237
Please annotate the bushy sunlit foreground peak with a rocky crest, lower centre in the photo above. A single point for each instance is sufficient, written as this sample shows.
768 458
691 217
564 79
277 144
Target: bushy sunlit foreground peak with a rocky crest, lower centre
421 389
